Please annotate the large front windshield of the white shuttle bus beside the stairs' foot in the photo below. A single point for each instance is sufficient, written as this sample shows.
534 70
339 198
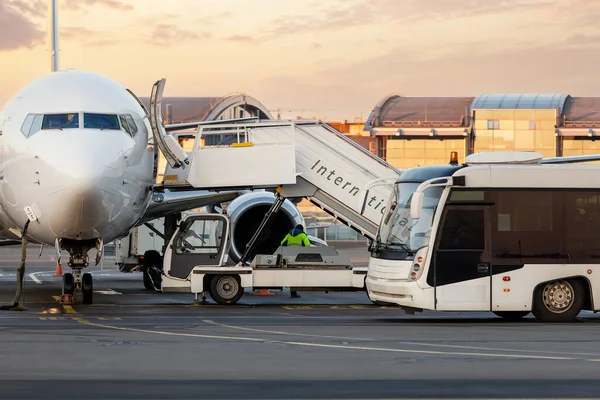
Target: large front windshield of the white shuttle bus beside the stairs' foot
398 231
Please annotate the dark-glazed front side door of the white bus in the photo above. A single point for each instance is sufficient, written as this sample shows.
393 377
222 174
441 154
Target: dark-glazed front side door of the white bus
462 267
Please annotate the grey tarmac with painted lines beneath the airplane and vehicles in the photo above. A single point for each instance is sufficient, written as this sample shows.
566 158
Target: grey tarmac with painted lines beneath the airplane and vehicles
137 344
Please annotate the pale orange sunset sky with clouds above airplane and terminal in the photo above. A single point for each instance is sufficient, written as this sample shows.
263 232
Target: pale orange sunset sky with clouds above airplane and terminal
333 59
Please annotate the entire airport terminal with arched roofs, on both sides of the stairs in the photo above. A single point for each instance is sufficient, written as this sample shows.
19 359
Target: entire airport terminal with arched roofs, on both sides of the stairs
415 131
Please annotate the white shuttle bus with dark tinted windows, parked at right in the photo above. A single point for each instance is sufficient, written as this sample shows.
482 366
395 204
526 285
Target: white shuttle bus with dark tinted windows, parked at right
507 232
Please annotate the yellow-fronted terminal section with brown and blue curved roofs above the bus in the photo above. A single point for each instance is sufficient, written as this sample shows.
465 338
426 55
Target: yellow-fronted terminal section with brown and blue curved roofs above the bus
413 131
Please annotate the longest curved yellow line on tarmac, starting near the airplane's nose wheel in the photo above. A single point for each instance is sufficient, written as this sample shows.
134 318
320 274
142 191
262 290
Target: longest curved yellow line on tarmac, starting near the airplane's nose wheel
329 346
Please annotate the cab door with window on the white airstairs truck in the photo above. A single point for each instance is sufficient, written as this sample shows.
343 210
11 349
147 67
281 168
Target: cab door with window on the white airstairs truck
203 241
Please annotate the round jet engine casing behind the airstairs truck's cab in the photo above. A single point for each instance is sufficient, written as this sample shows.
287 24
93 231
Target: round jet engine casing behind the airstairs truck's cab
246 213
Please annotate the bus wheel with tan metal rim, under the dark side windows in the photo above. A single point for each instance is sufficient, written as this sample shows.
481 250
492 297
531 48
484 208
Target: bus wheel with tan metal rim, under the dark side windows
558 301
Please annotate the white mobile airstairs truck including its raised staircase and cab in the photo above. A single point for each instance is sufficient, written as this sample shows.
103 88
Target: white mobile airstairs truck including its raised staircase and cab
294 159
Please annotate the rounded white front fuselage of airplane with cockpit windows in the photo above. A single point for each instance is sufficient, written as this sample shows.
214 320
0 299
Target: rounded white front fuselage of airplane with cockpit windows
74 150
